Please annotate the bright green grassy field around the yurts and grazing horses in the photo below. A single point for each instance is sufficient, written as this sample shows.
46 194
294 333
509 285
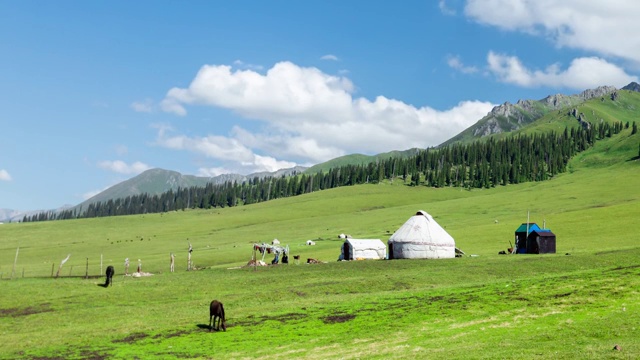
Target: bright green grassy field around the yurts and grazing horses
577 303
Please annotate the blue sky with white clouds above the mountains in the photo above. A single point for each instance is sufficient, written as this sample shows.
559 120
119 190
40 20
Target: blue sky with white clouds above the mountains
93 93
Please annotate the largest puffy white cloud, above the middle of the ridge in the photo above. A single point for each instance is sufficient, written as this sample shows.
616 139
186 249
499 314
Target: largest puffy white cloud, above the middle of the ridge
307 116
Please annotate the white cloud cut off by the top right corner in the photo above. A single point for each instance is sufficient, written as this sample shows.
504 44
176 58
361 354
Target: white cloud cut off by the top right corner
605 27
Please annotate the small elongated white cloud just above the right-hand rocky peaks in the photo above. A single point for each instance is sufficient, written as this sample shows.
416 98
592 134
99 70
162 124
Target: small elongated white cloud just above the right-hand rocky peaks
582 73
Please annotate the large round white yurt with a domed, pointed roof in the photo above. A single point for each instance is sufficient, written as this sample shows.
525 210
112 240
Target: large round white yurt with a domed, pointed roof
421 237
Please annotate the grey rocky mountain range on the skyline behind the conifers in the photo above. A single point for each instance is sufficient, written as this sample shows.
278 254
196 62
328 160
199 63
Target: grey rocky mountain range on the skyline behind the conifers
503 118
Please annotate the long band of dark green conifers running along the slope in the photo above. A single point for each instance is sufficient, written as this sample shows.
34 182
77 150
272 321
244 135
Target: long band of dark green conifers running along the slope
481 164
